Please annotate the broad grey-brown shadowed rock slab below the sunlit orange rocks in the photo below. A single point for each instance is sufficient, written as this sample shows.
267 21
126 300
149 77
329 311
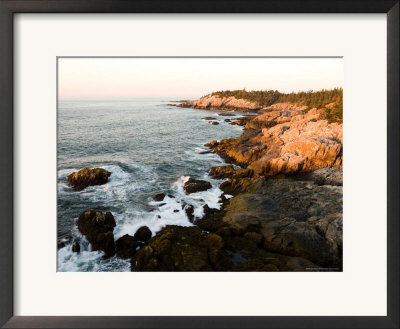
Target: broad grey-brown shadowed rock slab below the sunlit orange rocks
294 218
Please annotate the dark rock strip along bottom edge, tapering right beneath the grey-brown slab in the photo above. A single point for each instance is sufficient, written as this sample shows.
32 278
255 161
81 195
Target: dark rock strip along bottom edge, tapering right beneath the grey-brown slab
178 248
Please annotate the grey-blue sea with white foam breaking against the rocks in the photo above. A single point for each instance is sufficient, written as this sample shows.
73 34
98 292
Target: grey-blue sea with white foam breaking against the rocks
149 147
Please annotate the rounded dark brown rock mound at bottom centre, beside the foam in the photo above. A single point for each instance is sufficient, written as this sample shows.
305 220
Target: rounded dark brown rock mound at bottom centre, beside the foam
177 248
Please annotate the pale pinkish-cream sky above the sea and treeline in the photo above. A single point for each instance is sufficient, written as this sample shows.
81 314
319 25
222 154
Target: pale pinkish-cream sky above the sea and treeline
128 78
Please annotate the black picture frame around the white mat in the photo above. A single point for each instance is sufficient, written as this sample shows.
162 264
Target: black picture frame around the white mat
7 10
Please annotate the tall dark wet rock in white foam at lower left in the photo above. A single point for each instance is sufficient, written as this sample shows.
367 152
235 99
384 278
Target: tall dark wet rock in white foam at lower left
98 228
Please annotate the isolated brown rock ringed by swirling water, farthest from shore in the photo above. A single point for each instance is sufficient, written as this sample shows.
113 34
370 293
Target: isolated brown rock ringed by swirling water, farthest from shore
88 177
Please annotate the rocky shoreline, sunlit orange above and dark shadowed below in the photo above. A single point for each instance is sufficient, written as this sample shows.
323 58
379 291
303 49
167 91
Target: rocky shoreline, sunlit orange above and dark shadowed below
284 174
